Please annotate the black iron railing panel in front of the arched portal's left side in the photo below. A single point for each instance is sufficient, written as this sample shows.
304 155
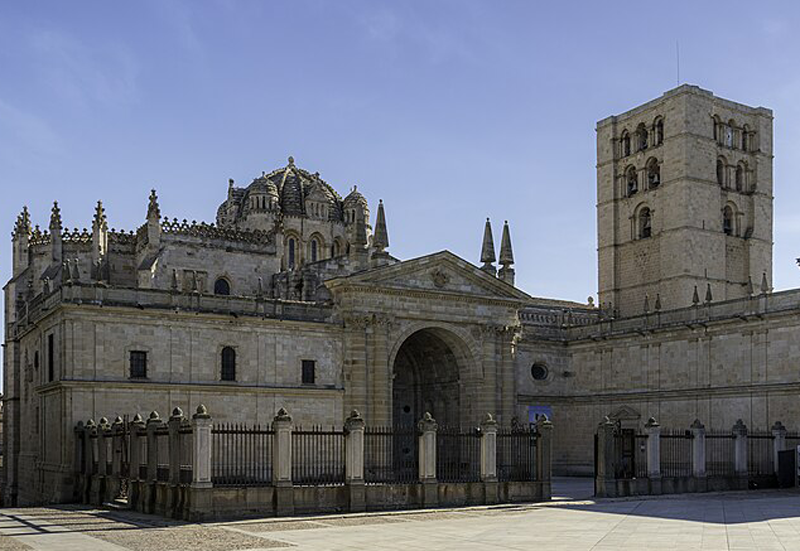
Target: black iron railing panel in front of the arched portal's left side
391 455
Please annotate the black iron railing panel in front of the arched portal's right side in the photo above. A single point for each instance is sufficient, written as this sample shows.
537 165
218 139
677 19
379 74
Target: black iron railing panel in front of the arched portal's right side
458 455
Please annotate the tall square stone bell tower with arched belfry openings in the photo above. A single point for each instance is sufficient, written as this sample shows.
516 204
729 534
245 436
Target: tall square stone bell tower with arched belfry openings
684 200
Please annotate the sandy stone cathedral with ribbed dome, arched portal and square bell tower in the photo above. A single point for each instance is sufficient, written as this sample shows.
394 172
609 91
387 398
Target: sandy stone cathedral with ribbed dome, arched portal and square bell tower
291 298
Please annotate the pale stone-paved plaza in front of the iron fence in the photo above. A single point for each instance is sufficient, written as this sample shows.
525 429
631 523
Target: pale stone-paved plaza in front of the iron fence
742 520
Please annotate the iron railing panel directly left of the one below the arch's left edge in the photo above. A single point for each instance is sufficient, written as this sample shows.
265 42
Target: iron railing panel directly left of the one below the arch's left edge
318 456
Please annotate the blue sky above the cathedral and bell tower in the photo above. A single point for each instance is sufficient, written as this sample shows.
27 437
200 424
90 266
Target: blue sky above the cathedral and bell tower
450 111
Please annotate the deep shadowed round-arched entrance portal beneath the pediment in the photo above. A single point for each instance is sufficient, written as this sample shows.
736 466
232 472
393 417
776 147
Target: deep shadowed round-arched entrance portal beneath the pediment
427 375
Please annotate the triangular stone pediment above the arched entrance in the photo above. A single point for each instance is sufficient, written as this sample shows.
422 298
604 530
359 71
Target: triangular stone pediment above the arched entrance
441 272
